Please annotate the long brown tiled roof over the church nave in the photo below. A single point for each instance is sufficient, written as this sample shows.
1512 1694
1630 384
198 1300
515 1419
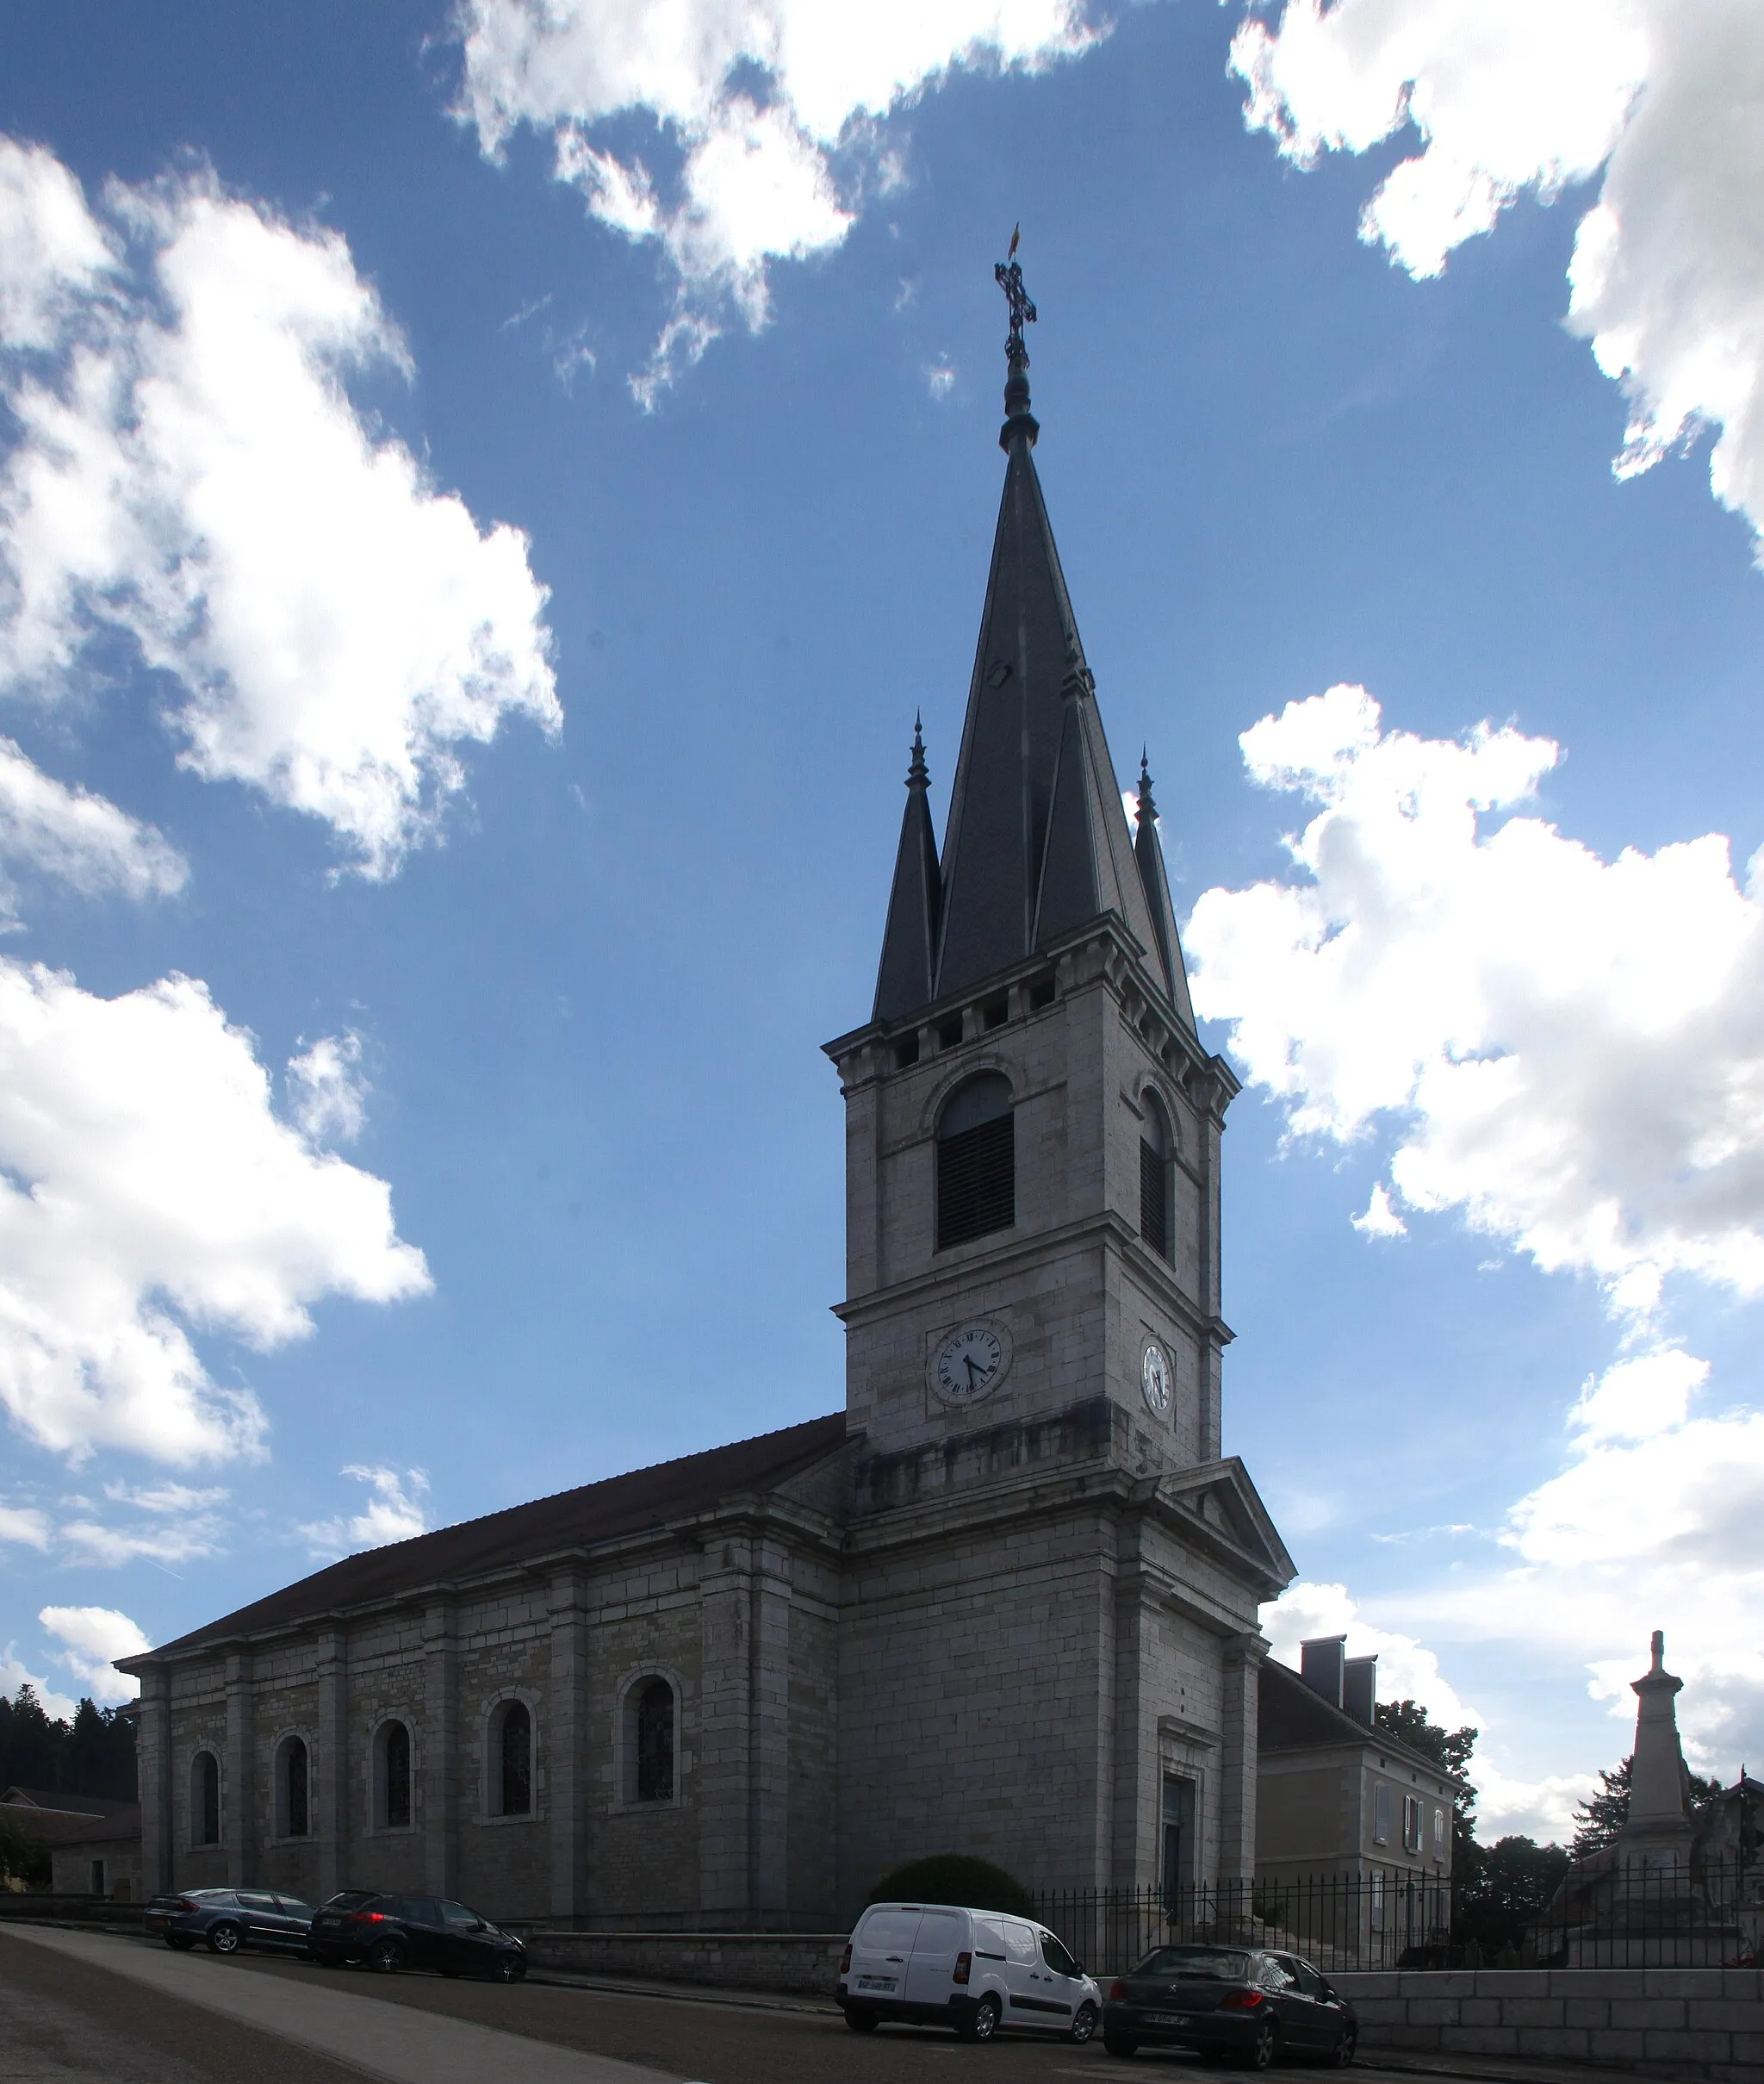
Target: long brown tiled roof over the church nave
570 1520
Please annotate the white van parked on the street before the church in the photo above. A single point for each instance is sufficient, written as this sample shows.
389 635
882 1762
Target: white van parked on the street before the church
936 1964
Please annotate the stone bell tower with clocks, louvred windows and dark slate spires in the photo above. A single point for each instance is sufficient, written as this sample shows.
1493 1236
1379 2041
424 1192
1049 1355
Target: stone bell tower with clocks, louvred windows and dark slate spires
1032 1122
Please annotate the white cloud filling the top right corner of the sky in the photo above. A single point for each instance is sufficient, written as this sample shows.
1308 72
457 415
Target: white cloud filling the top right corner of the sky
1507 97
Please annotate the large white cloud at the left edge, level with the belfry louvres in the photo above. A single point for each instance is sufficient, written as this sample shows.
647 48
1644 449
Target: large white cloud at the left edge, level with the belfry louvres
147 1193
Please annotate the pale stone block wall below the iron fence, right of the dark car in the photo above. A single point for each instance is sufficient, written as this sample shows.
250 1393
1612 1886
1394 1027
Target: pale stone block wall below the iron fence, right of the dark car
1688 2023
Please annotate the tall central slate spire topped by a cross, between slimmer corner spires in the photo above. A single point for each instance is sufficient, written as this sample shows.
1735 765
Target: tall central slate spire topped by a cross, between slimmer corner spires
1038 839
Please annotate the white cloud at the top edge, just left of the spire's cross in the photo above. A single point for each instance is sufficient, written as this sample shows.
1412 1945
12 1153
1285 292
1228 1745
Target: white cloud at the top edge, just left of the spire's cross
757 170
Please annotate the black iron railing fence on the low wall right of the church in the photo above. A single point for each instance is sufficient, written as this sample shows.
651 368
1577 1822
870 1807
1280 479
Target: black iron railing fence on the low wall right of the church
1380 1918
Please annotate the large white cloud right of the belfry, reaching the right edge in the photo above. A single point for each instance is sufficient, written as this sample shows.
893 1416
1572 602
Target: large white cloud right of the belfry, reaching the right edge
1567 1051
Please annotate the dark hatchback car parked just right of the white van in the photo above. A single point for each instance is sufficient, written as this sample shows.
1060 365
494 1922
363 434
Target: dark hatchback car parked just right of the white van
1242 2004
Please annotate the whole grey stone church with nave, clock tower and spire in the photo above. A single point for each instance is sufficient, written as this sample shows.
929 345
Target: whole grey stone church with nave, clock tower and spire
1001 1604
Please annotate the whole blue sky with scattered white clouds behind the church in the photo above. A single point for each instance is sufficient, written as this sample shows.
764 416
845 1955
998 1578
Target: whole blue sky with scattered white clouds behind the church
501 720
